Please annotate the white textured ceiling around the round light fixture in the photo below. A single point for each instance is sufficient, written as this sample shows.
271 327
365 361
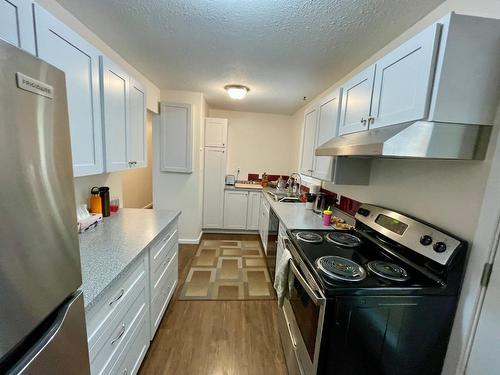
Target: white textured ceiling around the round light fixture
282 49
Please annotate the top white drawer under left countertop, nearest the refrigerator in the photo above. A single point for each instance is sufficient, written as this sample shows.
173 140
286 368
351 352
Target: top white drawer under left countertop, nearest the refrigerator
114 304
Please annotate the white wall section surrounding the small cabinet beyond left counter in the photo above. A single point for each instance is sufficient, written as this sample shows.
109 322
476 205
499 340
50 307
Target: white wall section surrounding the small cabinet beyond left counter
177 190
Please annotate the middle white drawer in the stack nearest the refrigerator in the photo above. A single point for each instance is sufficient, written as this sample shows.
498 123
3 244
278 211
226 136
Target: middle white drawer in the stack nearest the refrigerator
111 344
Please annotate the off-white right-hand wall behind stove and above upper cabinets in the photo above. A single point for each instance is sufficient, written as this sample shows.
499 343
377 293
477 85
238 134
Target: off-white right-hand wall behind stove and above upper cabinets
446 193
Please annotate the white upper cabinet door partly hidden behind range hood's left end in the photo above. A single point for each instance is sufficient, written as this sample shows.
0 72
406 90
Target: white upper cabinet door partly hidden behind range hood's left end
327 128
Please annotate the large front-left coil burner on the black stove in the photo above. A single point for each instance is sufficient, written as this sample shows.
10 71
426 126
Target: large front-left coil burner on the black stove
339 268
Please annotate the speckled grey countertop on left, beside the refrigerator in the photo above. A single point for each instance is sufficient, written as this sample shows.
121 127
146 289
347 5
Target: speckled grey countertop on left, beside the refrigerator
108 250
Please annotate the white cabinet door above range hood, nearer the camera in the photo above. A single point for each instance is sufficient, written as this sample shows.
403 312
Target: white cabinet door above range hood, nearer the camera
403 80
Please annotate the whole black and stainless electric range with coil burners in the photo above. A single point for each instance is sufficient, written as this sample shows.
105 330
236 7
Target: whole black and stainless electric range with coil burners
379 299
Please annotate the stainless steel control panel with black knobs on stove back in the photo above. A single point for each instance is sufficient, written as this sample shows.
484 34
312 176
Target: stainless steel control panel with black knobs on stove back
417 236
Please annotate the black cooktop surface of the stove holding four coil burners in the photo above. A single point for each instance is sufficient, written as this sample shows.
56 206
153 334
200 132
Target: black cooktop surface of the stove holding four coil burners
385 266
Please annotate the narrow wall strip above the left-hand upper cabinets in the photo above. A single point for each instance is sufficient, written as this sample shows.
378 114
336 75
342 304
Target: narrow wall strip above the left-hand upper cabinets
152 92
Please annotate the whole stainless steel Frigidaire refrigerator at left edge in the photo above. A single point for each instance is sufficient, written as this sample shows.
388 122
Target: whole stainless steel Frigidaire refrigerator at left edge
42 319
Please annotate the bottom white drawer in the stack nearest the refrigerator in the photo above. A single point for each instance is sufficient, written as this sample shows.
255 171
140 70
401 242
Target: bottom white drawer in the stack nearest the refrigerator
131 358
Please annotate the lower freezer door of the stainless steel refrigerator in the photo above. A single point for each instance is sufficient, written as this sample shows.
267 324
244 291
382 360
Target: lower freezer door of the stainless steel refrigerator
63 349
